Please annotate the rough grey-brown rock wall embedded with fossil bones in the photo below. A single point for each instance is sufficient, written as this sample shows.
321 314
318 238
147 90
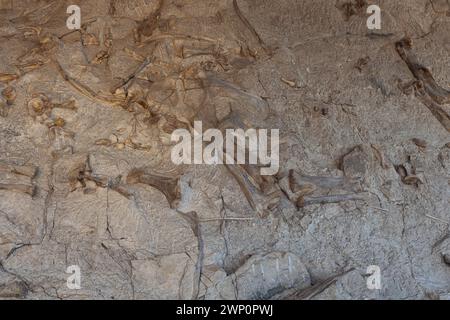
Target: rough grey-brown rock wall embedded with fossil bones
85 171
